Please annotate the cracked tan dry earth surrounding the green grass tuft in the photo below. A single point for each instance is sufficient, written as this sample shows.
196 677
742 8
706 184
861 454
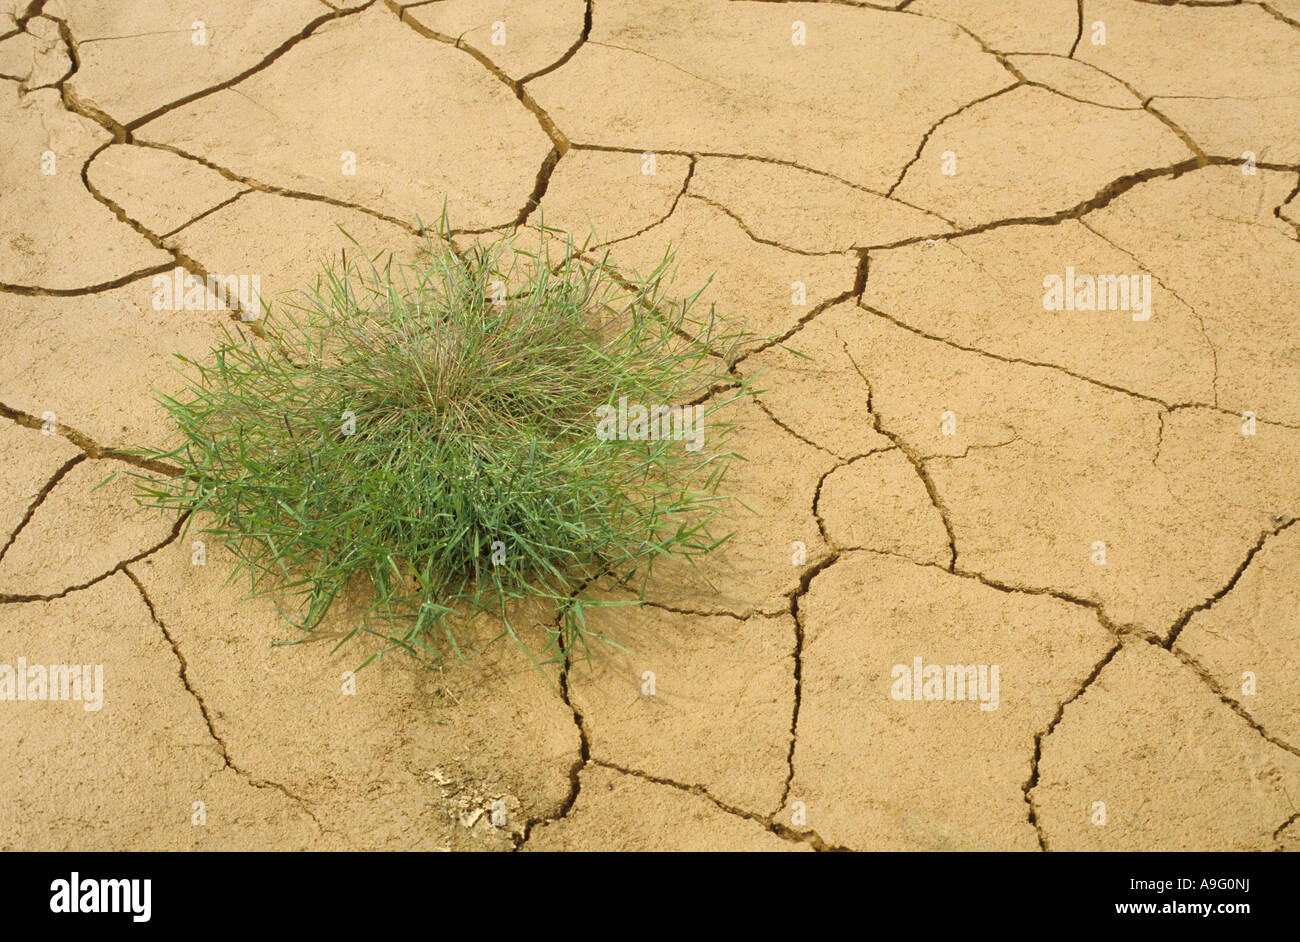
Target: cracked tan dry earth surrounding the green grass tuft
1091 500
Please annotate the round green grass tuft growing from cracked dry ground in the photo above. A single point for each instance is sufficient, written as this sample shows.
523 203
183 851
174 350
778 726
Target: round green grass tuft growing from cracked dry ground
431 428
